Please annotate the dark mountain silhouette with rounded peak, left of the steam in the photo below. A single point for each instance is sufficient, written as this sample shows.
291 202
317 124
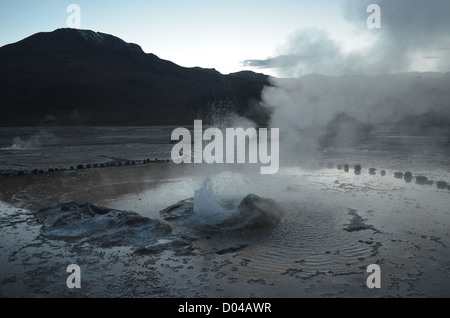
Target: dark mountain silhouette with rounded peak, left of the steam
82 77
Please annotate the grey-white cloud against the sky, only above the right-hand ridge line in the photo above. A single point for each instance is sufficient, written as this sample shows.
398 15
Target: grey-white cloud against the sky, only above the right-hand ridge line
411 32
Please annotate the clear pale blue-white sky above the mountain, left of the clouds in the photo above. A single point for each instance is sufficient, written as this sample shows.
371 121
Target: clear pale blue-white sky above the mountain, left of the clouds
210 34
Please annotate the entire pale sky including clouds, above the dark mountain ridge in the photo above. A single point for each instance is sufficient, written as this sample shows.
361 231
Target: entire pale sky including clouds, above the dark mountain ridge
292 37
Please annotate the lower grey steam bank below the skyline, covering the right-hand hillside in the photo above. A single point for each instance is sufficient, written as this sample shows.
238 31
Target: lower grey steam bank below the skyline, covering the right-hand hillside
344 109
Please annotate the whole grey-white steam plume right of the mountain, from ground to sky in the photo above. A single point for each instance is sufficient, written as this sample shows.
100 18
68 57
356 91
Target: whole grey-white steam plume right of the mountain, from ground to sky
392 80
